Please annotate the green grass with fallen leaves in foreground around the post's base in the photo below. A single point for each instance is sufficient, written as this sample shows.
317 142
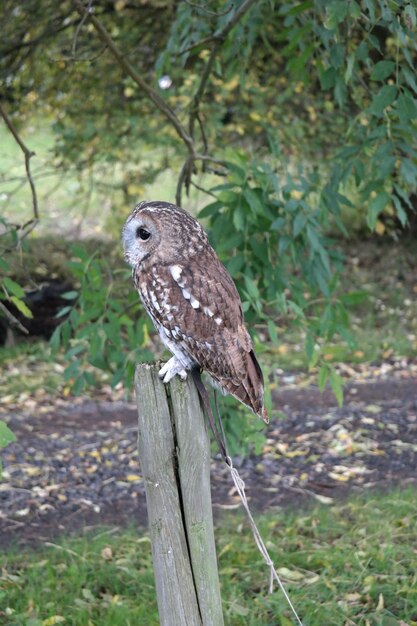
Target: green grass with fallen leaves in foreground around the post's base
352 564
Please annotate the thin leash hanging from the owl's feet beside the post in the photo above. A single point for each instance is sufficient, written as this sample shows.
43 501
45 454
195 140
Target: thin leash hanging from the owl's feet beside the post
220 438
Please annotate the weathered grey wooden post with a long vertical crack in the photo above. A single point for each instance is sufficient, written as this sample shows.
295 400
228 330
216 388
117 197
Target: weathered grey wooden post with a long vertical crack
174 452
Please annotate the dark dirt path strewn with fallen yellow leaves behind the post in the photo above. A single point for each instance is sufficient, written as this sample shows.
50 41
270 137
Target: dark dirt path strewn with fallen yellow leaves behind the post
75 464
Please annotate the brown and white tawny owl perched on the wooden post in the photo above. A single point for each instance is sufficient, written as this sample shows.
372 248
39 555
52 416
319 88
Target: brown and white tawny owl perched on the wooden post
192 301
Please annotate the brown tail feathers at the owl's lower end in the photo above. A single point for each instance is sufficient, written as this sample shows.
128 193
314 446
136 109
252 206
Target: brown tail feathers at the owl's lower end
251 390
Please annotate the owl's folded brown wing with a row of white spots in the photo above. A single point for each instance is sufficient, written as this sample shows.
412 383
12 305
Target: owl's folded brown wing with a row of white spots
198 306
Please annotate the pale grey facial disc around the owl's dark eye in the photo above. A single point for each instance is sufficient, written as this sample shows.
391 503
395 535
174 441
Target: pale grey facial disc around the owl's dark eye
140 238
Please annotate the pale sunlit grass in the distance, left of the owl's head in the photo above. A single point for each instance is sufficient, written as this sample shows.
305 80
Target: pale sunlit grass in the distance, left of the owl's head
86 202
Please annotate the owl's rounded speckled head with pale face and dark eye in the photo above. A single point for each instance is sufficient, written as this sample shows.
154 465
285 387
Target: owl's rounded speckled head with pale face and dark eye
163 229
